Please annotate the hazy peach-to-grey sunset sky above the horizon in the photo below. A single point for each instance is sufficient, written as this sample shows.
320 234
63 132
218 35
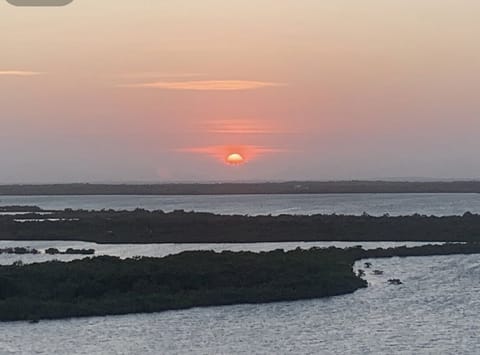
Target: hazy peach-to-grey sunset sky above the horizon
147 91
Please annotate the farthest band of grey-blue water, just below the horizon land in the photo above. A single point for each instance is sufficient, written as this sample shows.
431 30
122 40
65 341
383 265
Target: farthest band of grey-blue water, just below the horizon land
352 204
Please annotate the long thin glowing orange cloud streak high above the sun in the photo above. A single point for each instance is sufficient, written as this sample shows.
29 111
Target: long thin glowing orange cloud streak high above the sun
207 85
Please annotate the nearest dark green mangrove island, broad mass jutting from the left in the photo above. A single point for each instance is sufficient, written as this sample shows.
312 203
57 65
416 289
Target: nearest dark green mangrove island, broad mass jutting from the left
108 285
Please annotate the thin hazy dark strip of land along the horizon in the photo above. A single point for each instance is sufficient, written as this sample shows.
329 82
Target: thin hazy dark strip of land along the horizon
281 188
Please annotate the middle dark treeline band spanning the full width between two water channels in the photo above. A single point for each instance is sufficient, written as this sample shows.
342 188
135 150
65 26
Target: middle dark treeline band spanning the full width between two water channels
142 226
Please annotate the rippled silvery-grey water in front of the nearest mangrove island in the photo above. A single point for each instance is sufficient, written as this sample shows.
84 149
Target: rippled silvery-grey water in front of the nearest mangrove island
435 311
